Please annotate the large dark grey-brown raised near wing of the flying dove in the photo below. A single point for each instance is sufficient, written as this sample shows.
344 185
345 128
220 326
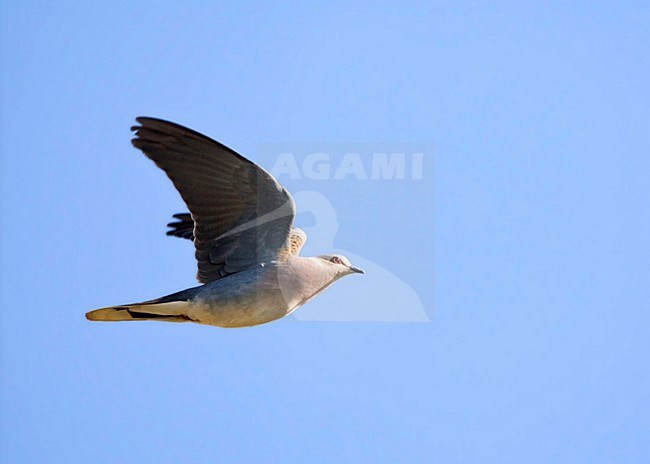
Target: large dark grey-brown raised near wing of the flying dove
241 215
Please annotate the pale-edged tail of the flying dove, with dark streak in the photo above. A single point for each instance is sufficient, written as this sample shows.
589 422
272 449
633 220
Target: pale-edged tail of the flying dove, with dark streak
171 311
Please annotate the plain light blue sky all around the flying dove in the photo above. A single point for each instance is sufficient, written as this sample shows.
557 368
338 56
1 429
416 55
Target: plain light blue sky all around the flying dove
533 263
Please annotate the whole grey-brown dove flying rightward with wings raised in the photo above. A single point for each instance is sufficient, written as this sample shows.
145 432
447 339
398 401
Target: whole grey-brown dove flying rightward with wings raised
241 222
